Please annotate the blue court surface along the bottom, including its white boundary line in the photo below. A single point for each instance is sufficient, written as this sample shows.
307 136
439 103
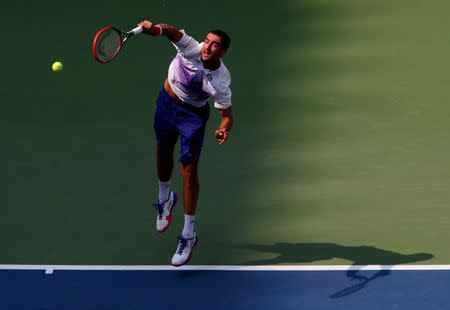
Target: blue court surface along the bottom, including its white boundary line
224 287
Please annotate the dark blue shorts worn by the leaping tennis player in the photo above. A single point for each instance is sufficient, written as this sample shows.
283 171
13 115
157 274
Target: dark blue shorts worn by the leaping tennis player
174 118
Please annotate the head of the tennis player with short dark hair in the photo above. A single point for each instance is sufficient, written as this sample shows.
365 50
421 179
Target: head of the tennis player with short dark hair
215 45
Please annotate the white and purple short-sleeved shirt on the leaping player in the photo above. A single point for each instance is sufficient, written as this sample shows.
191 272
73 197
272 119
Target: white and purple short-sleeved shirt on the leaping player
193 83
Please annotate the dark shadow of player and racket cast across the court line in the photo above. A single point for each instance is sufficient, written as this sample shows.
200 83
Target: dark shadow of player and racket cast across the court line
360 256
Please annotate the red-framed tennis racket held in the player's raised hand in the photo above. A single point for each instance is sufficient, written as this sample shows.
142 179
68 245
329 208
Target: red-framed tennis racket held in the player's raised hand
108 41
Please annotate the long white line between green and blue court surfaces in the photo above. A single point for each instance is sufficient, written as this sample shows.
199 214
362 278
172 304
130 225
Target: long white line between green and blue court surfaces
50 268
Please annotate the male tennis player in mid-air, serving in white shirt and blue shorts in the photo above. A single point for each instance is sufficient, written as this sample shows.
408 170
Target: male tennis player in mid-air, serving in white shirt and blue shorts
182 110
